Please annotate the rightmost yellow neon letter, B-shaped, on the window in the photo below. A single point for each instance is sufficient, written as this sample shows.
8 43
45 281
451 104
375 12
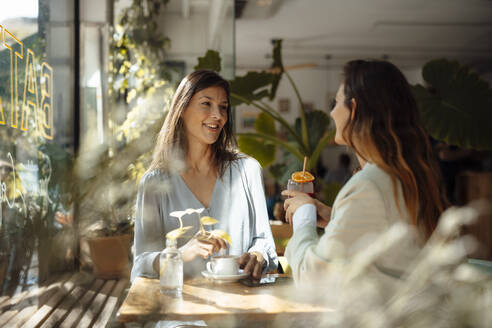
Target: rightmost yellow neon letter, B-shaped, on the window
46 114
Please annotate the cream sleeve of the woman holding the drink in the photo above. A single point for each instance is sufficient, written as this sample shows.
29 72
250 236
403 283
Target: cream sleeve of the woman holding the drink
358 217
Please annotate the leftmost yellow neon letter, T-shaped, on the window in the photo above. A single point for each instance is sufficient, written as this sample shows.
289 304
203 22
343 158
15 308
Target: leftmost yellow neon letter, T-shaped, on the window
14 115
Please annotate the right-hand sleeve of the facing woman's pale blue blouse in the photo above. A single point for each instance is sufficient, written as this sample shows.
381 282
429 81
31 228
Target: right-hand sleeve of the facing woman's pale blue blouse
262 233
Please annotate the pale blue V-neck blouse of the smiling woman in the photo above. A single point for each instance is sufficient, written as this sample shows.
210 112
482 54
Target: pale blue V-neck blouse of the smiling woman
238 202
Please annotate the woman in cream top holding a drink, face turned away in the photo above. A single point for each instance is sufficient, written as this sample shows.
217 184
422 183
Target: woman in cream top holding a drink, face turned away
377 117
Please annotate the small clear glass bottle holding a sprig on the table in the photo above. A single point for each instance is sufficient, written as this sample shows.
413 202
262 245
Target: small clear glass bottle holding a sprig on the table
171 269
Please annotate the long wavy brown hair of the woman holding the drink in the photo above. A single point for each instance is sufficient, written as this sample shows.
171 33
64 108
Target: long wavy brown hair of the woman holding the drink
386 129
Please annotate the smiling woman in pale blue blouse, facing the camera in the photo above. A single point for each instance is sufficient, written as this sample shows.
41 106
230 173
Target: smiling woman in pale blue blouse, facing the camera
216 177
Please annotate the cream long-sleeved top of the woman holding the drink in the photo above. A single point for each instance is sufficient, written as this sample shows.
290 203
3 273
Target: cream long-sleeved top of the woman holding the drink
363 210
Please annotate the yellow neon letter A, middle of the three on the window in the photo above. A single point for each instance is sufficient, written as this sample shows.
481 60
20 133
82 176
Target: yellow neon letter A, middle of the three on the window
30 89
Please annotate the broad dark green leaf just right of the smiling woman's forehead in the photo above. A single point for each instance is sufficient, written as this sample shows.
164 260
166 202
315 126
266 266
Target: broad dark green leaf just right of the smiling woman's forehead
252 86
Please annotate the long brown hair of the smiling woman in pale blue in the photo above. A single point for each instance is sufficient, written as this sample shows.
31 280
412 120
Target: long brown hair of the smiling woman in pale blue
172 140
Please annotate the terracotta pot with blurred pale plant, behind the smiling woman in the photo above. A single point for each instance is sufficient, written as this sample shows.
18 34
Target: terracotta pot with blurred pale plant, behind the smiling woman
106 180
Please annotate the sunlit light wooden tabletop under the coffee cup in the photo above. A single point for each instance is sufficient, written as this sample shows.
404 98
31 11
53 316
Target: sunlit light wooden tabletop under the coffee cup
221 305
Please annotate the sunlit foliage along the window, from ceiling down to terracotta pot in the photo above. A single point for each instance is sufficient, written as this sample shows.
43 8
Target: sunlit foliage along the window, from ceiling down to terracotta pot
106 175
